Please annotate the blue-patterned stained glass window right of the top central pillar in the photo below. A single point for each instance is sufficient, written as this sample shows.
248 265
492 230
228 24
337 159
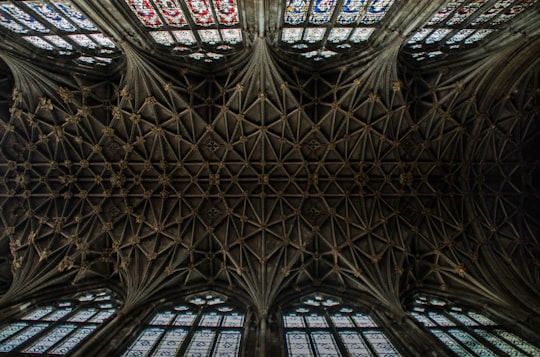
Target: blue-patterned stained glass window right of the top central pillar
319 29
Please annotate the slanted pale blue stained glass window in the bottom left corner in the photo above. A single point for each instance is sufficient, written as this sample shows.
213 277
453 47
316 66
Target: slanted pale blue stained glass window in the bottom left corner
58 327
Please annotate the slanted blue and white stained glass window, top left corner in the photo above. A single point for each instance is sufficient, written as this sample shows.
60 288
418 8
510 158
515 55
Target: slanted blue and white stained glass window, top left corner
57 26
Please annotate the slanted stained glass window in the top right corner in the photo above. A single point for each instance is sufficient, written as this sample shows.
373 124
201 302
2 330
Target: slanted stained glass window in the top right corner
461 23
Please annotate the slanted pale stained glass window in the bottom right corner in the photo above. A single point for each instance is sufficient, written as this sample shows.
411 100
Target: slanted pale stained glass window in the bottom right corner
468 333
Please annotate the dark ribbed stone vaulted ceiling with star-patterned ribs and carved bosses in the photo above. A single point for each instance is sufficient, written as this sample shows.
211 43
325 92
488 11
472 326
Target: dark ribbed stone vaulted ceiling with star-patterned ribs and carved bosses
266 171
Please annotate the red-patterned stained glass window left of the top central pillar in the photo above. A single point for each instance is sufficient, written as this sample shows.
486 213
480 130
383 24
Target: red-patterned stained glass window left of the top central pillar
201 29
